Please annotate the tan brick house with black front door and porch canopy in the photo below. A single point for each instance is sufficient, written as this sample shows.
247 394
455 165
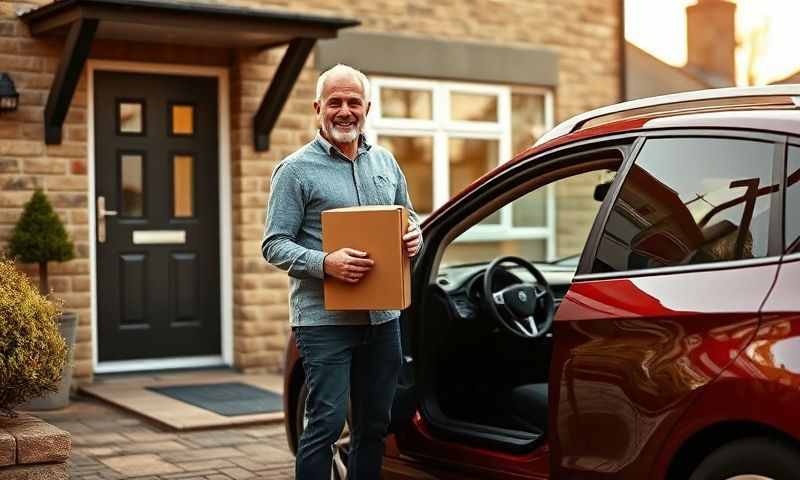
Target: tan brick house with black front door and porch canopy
154 126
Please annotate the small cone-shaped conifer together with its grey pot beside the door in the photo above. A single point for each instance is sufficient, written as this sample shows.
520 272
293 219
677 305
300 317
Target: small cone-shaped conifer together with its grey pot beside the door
39 237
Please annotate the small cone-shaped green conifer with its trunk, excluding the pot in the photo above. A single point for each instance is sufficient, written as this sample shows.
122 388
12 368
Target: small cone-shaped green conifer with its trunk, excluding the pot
39 237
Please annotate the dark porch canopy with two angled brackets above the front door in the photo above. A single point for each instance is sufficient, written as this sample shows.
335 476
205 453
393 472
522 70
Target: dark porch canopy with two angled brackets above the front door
186 23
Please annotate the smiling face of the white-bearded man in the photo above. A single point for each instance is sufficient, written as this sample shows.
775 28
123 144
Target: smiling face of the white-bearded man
342 109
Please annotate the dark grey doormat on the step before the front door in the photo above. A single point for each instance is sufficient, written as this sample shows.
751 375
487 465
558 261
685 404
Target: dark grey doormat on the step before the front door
228 399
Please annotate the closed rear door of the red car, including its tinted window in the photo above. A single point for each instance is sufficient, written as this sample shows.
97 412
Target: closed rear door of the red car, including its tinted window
667 294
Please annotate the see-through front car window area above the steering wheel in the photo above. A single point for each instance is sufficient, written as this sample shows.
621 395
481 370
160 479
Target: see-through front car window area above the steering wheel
543 225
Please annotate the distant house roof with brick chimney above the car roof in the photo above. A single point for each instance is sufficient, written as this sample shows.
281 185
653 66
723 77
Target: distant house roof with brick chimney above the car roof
711 63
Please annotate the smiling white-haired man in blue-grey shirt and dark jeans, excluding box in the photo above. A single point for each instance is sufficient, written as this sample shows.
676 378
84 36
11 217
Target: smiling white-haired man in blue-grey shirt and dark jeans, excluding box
344 353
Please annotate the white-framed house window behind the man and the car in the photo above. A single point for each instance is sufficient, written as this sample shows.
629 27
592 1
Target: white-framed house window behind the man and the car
446 135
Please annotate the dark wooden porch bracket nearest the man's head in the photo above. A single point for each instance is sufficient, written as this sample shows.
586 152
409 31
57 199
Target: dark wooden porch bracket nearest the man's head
279 90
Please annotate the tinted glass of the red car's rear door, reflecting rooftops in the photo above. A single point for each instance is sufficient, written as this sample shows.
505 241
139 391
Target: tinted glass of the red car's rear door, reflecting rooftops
689 201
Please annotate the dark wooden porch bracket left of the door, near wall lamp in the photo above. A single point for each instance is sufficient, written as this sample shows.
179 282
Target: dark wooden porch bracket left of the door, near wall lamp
76 50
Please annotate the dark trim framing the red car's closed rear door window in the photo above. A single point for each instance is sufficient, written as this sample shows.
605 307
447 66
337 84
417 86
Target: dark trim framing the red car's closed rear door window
584 270
